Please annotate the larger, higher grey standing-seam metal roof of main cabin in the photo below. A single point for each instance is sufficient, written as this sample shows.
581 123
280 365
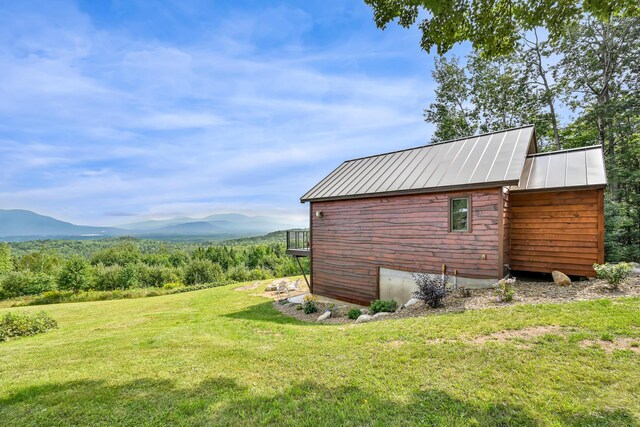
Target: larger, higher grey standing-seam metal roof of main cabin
477 161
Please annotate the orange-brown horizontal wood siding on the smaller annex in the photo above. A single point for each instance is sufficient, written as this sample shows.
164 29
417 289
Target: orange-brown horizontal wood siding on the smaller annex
558 230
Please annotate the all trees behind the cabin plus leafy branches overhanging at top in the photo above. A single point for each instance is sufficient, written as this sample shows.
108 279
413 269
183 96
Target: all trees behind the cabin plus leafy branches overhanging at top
571 68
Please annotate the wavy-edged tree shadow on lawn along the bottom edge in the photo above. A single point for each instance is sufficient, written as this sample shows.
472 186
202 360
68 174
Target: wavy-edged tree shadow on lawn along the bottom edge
221 401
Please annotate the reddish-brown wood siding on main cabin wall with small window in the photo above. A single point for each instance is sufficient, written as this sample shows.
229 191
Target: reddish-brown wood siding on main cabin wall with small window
354 238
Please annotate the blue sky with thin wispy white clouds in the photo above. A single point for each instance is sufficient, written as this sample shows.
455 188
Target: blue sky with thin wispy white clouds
116 111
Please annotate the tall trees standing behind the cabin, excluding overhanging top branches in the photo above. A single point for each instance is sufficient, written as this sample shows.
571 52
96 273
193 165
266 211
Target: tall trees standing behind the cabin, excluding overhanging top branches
581 89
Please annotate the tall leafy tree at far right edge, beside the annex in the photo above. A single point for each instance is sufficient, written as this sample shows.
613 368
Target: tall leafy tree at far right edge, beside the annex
599 69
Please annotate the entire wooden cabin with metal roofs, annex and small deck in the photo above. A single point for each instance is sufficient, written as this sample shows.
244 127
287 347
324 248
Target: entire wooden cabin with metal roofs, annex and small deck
474 208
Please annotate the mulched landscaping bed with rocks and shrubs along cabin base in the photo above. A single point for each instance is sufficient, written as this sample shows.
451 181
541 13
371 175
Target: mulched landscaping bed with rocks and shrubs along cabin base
527 292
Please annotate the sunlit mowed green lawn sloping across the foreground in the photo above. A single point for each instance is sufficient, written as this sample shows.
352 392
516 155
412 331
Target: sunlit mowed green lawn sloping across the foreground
223 357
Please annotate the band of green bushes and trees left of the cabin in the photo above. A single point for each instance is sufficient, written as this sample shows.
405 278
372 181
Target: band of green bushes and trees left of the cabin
127 263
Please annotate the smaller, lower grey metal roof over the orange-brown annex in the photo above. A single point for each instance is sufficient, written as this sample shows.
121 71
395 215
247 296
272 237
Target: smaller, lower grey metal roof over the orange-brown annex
580 167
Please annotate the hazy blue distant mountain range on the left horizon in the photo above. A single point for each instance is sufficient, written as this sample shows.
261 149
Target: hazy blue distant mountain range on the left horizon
18 224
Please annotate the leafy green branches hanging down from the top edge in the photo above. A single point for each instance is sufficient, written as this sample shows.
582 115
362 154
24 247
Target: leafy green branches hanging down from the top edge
492 26
